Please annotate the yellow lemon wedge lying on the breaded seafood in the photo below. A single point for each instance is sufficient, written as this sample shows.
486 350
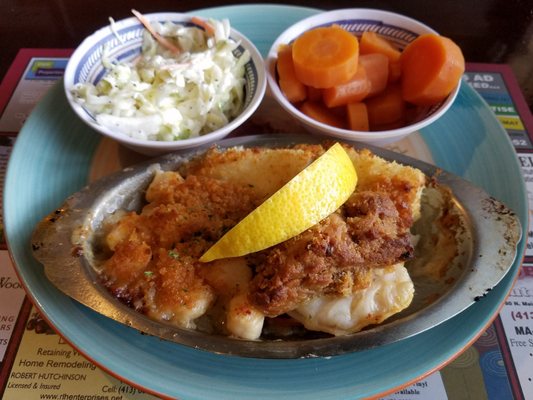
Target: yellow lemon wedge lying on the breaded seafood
313 194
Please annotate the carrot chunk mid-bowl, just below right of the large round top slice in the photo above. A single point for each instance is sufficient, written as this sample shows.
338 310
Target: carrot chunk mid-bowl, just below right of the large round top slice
356 89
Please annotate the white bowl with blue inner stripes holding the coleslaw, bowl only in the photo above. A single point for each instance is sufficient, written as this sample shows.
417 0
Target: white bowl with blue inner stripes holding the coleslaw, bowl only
85 66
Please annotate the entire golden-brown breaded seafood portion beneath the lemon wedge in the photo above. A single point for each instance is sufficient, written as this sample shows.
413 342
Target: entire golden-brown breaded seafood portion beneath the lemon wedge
154 266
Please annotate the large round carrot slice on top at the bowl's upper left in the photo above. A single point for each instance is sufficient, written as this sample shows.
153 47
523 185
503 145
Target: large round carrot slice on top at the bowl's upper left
325 57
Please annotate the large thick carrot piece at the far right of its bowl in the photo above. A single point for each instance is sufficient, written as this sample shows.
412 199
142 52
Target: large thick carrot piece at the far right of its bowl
432 66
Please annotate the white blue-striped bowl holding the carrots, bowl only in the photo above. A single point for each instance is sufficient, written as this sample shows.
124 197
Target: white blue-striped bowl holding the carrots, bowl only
396 28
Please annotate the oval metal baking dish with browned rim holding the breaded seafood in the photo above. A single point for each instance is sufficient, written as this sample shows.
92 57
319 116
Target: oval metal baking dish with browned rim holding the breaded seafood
65 240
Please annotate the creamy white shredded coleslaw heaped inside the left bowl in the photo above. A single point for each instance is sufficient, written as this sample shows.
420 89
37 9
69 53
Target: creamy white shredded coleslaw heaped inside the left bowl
167 97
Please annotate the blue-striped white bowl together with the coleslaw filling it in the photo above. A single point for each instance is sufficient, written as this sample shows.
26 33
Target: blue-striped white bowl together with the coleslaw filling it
162 82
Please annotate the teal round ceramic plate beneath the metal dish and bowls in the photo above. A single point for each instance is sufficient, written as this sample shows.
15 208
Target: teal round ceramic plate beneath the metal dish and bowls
51 160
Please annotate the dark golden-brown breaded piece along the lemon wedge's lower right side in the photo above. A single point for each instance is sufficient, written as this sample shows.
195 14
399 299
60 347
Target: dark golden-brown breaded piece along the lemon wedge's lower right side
336 256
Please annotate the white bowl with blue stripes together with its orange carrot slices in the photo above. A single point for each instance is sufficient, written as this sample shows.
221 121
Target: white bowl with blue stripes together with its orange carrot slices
361 74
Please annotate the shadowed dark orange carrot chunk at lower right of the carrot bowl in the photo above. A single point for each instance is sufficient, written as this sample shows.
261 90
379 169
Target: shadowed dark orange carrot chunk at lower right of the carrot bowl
387 107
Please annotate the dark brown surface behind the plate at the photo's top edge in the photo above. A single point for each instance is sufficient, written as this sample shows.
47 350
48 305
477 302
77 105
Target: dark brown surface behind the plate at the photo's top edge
488 31
